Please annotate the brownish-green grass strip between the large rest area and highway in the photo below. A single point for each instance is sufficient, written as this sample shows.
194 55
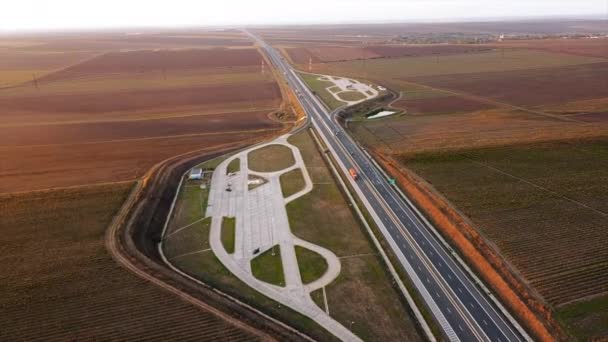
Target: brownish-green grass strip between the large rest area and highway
363 292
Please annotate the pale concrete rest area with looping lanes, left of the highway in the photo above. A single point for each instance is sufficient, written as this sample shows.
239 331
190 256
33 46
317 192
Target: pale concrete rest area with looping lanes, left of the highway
262 222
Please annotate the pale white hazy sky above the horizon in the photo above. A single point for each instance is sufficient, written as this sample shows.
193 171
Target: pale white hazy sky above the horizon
60 14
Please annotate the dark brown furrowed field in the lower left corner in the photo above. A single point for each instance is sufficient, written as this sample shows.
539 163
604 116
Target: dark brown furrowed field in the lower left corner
60 283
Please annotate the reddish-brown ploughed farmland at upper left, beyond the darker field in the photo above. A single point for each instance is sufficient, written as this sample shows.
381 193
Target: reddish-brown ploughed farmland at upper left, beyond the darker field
135 107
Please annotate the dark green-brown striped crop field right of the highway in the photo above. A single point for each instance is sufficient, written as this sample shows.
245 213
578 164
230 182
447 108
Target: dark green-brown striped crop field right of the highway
542 205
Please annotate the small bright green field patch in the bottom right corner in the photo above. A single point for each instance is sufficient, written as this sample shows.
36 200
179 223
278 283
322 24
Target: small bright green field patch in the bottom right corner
586 320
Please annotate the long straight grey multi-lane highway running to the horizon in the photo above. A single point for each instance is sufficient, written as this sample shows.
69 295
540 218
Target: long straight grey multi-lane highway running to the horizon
460 308
